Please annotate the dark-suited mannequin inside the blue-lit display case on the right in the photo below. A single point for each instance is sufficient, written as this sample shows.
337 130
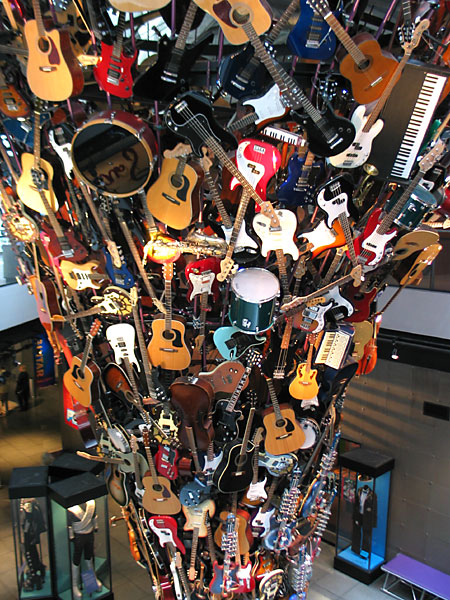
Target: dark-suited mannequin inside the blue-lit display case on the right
364 515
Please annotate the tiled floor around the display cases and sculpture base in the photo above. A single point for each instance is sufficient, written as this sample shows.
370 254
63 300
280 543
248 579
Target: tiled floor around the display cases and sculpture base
24 437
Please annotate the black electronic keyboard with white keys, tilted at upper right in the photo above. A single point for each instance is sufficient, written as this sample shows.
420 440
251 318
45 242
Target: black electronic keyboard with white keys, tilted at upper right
407 115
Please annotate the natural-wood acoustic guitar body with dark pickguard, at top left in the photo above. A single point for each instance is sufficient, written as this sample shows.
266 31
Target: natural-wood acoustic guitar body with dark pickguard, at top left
53 73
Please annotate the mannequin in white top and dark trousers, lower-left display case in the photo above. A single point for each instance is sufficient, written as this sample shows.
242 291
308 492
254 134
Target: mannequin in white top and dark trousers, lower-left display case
82 521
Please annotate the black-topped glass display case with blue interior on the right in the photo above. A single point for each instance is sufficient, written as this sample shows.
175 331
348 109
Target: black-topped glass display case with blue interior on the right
365 479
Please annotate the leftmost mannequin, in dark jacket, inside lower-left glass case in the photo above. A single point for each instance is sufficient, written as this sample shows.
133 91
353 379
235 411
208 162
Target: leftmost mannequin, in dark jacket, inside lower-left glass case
32 524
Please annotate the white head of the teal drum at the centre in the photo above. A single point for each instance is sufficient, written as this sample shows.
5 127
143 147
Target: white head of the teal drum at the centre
255 285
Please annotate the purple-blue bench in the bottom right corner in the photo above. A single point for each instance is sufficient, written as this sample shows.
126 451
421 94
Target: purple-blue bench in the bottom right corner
418 578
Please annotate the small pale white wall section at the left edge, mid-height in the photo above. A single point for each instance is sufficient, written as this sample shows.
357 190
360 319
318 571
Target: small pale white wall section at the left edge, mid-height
17 306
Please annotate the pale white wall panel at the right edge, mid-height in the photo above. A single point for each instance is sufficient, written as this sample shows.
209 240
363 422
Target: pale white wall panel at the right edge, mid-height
417 311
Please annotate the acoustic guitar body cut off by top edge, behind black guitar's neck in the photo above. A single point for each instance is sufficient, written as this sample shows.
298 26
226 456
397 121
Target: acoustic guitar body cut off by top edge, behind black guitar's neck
222 11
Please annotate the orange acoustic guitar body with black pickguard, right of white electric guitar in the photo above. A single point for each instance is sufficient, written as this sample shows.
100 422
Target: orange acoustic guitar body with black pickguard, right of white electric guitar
167 349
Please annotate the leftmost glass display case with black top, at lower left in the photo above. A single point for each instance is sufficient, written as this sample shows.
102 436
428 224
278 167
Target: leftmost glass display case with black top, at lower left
31 529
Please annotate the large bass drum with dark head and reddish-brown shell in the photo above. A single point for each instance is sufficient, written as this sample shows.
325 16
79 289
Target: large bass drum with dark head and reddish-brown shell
114 153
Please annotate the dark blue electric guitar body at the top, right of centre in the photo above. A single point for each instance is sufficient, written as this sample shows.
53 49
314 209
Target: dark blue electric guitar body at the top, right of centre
311 38
